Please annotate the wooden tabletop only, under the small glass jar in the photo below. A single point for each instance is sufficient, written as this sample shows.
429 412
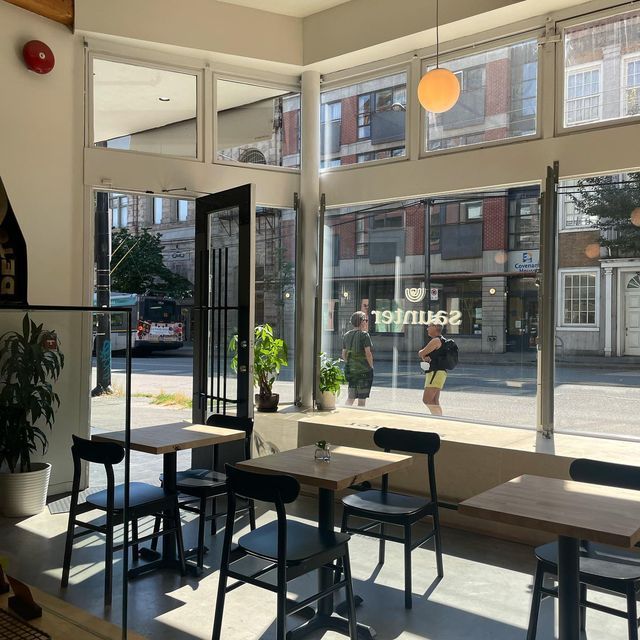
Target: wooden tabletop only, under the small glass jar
346 467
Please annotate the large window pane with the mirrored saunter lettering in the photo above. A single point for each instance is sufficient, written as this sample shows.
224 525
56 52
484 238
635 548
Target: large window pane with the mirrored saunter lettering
402 264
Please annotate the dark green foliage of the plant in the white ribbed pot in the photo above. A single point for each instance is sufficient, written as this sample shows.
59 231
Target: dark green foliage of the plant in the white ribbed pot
30 362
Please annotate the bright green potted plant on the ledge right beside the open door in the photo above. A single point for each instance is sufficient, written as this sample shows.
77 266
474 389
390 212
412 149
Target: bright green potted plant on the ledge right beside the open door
269 355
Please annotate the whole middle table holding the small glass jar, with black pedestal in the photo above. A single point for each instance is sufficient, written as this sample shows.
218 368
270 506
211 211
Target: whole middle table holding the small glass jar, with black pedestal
347 466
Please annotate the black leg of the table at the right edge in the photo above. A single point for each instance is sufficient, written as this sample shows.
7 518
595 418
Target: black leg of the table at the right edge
569 587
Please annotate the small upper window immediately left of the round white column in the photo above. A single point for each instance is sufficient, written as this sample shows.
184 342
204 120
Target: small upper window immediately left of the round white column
257 125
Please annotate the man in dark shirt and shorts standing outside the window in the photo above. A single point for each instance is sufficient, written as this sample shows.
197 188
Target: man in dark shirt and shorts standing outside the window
357 353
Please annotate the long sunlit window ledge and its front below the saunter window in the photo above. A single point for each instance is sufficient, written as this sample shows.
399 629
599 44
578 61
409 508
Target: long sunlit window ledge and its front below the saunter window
473 457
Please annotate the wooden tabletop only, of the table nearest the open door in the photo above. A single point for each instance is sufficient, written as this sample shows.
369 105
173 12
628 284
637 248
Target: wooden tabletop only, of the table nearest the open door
167 438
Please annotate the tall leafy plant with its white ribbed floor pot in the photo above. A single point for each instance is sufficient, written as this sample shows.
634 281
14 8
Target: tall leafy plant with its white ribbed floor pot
30 362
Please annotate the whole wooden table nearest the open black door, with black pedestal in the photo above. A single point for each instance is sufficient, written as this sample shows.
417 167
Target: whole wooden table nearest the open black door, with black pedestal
167 440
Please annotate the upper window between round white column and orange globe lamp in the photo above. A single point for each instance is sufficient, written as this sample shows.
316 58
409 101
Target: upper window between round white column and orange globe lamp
363 122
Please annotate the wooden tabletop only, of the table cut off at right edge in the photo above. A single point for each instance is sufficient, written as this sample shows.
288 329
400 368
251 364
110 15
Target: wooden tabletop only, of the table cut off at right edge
564 507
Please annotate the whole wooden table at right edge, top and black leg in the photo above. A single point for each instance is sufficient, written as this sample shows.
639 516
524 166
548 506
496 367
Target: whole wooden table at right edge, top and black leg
572 511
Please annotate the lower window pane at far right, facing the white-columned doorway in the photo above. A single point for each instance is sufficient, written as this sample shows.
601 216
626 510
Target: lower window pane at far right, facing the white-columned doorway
598 321
